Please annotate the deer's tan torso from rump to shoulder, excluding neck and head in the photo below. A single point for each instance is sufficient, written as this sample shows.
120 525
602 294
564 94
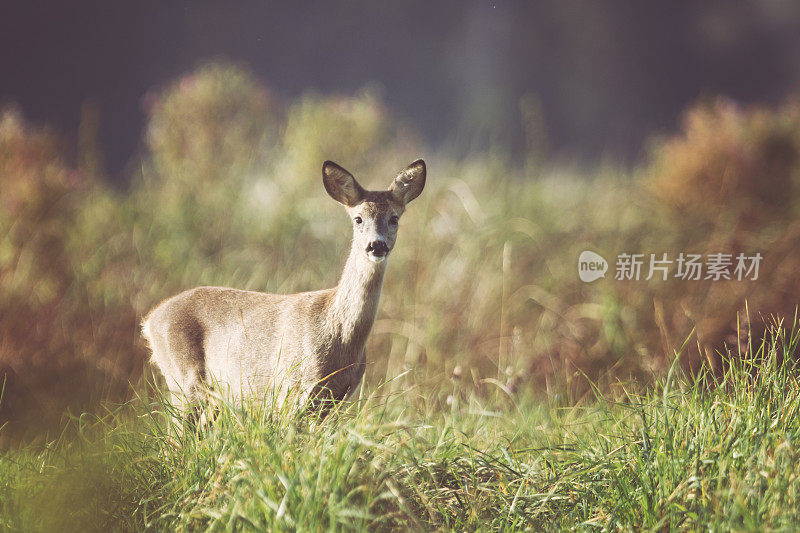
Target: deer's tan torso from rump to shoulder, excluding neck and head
249 342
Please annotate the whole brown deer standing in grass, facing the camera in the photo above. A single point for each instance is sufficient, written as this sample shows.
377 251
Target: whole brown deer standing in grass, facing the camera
260 345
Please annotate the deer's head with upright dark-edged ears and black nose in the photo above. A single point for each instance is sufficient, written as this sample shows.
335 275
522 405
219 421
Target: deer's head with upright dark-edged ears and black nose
374 213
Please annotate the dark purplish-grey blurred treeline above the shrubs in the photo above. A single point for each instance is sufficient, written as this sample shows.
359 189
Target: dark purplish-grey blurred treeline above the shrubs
595 79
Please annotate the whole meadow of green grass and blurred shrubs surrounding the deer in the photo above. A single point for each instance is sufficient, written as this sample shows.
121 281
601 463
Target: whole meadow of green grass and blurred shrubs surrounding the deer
501 390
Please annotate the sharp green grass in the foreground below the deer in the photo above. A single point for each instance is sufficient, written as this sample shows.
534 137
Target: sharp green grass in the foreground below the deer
718 452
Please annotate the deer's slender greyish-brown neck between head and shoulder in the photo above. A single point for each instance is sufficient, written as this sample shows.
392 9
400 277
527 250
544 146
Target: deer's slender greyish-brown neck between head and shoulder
356 298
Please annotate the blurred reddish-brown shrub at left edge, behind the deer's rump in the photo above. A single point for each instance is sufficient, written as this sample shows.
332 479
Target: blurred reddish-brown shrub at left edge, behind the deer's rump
59 343
